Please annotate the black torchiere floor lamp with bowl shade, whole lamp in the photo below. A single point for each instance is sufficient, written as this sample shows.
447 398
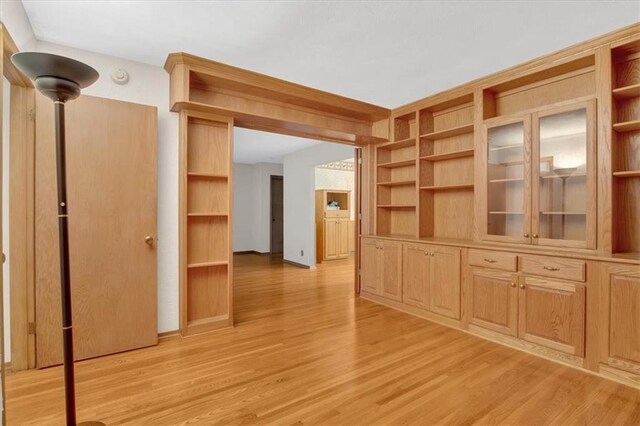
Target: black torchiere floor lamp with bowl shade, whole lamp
60 79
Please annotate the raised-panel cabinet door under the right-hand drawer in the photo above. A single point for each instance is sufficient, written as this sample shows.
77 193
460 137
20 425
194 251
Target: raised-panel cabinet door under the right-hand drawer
552 314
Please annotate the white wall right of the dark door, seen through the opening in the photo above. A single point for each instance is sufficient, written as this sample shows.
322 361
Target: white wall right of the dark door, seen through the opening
299 198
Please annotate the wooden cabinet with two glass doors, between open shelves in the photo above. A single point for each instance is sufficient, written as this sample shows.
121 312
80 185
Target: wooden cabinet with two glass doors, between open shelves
540 177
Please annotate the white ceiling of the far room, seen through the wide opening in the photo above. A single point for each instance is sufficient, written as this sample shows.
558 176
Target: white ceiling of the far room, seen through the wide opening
250 146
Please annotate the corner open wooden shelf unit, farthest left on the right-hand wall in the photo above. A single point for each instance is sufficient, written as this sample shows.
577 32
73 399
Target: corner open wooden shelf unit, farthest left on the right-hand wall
396 174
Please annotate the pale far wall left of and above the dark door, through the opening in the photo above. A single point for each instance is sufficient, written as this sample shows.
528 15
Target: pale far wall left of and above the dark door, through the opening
251 205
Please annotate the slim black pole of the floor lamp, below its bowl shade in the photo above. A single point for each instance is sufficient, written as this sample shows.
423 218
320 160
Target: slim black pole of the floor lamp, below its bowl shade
65 278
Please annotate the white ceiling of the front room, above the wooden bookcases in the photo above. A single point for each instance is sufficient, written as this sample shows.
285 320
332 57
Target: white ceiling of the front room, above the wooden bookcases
385 52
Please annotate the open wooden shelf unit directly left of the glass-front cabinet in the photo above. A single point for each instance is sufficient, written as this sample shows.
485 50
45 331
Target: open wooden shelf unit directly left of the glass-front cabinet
446 169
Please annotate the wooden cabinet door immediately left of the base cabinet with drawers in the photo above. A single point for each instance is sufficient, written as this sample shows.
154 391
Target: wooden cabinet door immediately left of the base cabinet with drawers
444 282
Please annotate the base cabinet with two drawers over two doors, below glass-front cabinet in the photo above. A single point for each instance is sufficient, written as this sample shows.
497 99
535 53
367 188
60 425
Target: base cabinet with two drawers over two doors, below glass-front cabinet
543 311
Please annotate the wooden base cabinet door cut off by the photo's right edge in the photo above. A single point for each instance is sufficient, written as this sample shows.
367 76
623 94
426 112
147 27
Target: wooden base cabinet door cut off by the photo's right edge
624 338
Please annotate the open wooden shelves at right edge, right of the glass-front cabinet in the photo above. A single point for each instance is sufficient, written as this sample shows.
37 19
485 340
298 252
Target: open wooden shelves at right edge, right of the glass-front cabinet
625 146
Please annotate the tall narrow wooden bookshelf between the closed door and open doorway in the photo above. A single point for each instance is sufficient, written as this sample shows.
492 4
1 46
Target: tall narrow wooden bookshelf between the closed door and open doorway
206 264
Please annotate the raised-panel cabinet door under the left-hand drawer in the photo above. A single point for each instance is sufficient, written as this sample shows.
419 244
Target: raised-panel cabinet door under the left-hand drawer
495 301
